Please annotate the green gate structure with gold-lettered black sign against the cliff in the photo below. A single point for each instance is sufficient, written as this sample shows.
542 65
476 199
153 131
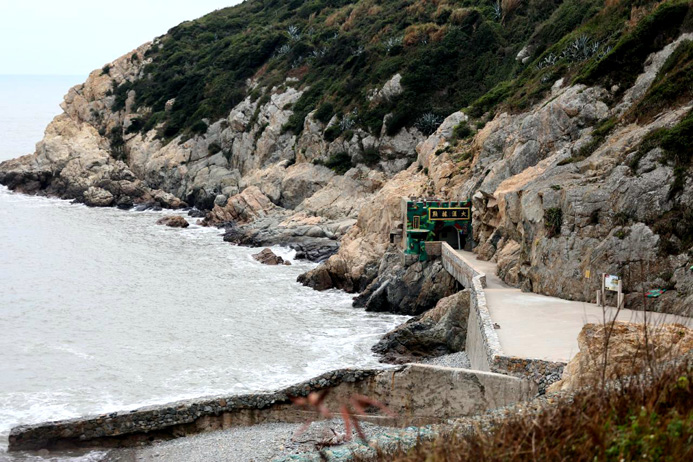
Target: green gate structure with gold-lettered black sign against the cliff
435 220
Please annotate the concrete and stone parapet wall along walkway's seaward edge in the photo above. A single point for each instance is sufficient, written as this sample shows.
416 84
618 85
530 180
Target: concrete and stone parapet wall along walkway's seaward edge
482 345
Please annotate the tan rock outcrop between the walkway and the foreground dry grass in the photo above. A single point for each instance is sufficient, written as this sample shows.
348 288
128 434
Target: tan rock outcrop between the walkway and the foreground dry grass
629 351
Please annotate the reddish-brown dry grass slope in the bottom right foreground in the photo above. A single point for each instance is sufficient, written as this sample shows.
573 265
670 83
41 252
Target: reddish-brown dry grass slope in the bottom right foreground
643 420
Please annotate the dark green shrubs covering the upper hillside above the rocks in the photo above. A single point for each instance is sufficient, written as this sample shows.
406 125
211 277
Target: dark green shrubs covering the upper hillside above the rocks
452 54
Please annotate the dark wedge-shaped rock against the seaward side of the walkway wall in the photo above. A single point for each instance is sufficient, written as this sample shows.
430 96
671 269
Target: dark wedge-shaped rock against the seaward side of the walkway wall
440 331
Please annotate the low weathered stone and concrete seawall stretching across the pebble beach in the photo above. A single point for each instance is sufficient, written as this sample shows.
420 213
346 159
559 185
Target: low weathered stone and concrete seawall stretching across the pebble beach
418 394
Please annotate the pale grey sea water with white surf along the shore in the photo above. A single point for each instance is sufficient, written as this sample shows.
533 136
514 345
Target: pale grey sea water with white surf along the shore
103 310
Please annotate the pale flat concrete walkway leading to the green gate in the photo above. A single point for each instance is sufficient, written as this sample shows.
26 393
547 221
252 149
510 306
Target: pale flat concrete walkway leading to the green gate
540 327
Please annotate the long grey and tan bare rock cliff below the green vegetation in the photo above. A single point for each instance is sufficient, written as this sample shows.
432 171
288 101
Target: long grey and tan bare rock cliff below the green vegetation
545 209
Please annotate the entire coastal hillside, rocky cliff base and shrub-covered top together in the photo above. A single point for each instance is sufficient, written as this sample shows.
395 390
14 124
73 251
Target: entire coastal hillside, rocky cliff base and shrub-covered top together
302 123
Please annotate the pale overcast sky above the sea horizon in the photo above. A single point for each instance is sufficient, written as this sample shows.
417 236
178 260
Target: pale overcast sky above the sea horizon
74 37
